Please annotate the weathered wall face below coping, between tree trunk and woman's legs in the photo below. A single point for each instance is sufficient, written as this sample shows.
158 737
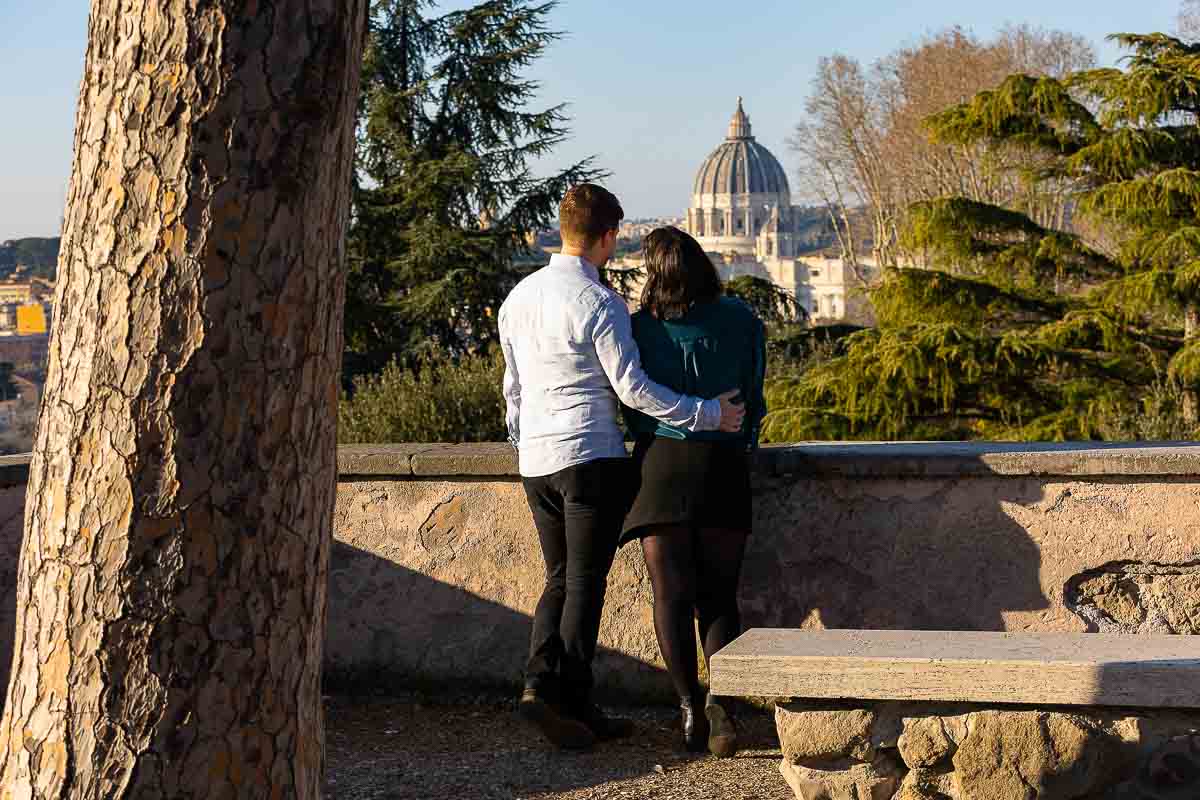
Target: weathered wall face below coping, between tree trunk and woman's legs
437 581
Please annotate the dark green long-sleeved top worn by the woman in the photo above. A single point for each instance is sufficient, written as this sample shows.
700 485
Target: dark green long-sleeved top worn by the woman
717 347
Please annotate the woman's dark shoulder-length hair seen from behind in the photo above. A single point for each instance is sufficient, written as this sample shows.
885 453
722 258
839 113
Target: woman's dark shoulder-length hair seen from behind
679 274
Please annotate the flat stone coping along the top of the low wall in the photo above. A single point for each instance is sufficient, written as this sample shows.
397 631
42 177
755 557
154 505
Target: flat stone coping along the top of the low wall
825 460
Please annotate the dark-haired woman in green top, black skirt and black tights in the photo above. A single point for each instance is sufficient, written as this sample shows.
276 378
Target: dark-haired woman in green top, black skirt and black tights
693 510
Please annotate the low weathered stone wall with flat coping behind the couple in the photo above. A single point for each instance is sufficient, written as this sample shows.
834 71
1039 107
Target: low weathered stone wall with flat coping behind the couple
436 568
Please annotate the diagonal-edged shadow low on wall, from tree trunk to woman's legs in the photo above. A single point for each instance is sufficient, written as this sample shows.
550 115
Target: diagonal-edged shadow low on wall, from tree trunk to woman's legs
392 627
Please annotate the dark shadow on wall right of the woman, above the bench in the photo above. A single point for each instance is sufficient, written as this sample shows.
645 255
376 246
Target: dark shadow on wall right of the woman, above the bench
891 555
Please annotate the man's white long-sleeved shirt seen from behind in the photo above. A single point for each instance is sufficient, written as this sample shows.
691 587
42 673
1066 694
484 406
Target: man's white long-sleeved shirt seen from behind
569 358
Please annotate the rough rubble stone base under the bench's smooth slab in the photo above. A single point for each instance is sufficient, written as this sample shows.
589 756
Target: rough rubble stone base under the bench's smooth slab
928 751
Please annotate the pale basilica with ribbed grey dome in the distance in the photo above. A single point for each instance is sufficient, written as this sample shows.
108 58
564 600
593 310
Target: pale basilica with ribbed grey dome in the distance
742 214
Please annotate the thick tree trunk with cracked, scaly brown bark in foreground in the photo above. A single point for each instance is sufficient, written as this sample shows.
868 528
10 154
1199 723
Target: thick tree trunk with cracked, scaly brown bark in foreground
172 584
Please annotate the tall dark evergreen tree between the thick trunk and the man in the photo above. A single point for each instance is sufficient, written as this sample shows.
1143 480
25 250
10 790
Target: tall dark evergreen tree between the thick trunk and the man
447 203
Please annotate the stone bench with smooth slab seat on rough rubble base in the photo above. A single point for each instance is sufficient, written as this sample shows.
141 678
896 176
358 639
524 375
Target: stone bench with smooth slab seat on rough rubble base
902 715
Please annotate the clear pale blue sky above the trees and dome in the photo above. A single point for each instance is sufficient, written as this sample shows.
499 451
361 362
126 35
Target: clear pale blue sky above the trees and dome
652 83
